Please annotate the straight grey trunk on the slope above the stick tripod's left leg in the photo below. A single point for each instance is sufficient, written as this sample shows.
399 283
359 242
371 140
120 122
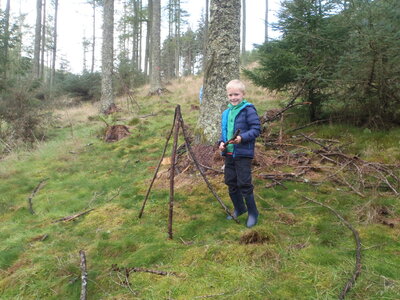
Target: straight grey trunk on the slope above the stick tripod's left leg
155 77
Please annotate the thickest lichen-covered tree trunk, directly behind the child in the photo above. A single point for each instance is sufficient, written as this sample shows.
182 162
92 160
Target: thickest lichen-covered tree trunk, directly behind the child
222 64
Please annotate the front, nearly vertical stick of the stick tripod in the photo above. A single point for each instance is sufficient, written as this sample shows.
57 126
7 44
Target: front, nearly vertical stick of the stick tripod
172 172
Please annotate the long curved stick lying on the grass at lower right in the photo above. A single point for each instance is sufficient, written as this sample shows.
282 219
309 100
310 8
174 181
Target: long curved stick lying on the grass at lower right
358 265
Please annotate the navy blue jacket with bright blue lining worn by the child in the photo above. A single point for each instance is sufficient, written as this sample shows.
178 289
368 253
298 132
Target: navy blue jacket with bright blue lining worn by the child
248 122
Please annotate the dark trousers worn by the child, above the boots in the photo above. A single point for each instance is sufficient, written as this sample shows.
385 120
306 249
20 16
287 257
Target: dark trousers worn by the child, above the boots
238 175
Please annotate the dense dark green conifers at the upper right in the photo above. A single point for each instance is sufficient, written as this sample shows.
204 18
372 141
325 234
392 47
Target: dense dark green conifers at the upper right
341 55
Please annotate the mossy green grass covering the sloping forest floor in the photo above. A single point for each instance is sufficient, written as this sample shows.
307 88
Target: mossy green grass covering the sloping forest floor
306 253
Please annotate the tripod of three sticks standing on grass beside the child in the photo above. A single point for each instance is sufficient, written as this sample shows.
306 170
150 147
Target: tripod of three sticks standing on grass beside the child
178 123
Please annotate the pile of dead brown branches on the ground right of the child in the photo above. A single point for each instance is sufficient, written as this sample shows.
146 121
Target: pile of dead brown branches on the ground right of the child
328 162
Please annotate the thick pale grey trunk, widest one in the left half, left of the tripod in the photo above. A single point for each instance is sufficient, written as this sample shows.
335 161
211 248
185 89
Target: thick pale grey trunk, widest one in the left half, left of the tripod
107 58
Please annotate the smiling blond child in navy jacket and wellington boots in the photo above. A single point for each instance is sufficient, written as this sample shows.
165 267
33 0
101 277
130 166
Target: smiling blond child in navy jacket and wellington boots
240 152
